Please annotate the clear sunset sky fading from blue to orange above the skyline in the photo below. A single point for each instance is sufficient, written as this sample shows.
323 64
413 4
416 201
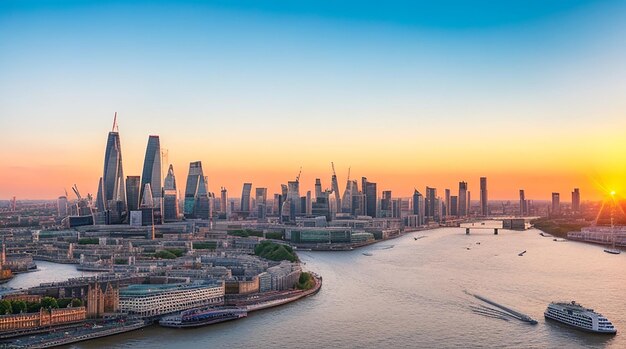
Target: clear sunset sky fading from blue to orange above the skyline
530 94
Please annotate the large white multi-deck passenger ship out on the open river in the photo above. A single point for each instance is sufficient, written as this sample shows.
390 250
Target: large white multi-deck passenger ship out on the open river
577 316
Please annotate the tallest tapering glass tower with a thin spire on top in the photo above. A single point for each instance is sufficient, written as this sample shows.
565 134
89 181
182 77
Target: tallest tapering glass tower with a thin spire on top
113 187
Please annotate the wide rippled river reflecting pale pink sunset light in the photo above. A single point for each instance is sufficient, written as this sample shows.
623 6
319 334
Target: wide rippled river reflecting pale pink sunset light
413 295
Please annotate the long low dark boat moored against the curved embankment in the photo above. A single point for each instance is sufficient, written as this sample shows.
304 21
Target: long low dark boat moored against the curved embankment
202 317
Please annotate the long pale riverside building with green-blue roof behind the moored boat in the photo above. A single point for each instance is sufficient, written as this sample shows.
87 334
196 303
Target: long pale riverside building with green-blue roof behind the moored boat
146 300
